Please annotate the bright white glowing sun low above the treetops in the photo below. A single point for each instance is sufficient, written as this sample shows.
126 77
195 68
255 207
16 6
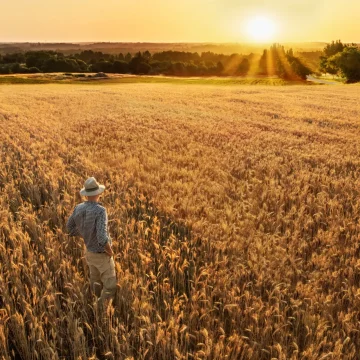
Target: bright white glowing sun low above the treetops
261 29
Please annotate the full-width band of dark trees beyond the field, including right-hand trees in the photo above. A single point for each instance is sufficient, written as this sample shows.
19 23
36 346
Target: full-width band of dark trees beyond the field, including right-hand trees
275 61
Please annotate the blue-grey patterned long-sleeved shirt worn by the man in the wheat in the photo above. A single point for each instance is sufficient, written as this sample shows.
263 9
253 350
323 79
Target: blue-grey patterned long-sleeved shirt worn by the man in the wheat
89 220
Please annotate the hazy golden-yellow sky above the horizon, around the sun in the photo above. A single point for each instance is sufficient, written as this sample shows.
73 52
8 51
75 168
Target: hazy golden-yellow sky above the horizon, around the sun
176 21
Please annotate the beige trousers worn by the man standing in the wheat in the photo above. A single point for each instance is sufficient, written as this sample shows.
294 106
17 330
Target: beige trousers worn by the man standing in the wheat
102 275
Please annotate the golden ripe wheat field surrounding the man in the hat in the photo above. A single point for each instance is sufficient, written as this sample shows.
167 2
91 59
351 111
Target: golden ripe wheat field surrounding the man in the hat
234 212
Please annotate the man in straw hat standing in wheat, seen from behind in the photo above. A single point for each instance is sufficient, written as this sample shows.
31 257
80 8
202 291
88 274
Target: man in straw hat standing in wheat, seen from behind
89 220
